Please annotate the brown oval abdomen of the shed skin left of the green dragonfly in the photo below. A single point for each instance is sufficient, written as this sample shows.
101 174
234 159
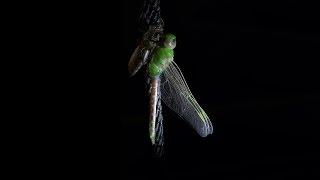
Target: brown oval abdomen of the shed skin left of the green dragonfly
137 59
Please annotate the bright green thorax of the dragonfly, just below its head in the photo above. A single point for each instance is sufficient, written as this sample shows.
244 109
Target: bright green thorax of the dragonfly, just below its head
162 57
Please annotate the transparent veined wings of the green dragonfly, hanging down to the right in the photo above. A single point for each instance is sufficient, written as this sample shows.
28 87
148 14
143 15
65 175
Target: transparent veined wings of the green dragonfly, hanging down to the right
178 97
